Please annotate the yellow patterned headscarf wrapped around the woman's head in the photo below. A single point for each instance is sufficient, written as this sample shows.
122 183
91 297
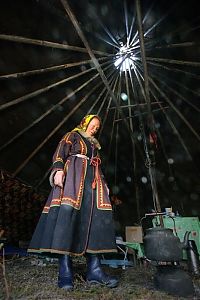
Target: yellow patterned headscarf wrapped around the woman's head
82 127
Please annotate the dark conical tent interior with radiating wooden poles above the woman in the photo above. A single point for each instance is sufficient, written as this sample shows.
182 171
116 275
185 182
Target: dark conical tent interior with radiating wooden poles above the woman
32 107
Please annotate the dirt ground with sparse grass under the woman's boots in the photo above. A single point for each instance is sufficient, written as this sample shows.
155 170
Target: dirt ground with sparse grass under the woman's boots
36 278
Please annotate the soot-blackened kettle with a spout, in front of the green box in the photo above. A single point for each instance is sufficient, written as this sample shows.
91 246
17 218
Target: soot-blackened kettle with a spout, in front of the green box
160 244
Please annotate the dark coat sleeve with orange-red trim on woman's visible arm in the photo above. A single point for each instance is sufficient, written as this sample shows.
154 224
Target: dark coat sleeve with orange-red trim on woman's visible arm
61 154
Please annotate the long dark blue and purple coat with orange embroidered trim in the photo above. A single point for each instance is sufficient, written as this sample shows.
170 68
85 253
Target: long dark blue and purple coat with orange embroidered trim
77 218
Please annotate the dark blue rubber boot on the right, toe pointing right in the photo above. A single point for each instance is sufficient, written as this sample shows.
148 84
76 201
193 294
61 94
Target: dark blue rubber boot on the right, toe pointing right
95 274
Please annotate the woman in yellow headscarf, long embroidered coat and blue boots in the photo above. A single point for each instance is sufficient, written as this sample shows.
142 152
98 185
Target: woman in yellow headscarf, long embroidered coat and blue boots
77 218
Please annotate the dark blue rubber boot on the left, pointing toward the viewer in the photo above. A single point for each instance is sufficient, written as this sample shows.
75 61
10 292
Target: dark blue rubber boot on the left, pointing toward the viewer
65 275
